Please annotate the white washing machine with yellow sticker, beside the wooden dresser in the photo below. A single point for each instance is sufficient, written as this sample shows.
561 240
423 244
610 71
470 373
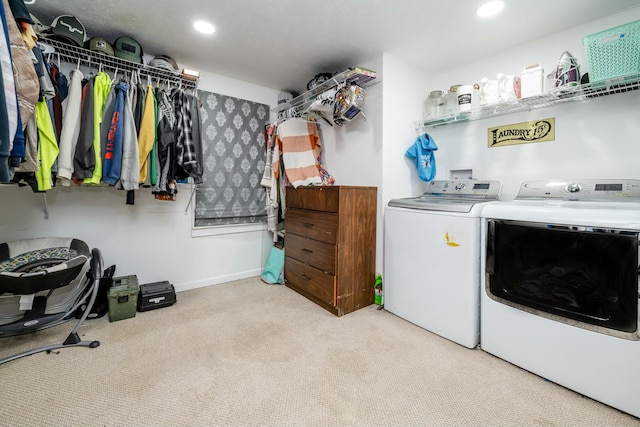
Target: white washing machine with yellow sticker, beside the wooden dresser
432 257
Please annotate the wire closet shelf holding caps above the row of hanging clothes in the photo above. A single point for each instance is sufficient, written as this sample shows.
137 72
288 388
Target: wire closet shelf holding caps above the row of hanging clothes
74 54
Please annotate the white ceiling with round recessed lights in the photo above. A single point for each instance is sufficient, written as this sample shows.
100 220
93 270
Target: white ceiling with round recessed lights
282 44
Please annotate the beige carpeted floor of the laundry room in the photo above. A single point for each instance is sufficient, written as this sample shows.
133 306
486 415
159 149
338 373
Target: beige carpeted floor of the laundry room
249 354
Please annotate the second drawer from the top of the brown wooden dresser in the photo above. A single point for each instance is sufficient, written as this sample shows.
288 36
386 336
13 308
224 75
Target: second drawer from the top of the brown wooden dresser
314 225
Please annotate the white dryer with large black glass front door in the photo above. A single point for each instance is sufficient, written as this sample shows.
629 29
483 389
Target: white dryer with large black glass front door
560 285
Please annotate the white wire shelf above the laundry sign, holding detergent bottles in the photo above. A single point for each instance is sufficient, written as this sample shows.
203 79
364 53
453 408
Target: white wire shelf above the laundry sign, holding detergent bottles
556 96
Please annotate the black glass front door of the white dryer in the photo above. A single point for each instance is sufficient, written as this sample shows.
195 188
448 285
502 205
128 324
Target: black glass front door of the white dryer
584 276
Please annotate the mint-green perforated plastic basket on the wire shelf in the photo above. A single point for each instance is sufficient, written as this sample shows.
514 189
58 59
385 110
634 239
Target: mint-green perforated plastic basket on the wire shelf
614 53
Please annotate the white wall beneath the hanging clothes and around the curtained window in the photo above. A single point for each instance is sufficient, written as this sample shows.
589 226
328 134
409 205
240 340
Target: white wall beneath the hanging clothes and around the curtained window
152 239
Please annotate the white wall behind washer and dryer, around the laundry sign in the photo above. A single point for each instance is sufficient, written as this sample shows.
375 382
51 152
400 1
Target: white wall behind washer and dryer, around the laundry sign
597 138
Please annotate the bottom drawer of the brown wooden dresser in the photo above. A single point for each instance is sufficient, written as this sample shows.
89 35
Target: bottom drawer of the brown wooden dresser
309 280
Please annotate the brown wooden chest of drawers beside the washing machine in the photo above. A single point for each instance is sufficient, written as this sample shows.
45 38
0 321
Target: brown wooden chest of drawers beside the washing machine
330 245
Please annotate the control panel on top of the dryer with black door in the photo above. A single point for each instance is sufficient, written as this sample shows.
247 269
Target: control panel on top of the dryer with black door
582 190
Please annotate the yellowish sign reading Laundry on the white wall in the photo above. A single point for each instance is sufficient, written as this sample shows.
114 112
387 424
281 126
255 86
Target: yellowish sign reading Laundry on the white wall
523 133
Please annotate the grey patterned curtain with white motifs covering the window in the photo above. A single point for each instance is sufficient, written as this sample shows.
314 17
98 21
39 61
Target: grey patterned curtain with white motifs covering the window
233 139
